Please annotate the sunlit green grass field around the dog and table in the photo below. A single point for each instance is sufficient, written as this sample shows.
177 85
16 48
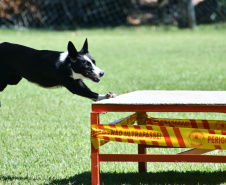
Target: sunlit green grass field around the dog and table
45 134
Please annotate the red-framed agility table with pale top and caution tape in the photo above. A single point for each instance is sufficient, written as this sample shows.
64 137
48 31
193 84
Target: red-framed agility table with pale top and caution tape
201 136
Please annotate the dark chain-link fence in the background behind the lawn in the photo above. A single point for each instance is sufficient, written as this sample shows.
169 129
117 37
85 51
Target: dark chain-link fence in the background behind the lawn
75 14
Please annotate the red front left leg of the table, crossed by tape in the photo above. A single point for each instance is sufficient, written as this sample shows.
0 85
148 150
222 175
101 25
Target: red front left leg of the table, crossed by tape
95 160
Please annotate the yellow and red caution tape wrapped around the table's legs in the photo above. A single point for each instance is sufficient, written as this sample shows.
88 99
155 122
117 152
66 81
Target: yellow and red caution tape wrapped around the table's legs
170 136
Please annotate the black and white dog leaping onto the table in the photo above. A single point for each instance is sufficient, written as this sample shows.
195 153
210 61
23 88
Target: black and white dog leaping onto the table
50 69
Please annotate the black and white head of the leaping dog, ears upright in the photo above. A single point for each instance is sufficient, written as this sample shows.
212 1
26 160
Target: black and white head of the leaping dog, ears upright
83 66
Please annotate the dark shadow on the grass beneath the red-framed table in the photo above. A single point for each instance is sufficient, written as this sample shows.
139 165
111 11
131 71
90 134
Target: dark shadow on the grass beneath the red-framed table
170 177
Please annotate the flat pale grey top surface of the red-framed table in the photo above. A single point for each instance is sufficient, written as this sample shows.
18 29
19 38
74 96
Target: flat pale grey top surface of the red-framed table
168 97
